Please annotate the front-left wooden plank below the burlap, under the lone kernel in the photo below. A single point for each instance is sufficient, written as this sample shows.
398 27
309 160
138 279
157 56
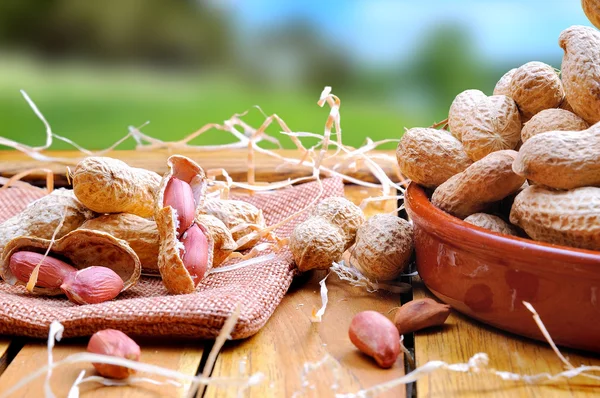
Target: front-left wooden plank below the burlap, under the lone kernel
184 357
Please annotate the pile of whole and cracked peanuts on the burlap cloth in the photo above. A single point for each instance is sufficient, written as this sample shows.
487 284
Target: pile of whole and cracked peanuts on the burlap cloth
117 222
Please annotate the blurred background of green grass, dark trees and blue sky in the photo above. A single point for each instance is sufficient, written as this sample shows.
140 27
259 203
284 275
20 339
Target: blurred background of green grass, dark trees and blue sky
96 67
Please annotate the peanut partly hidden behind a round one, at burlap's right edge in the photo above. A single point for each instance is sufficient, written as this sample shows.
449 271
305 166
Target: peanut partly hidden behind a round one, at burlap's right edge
342 213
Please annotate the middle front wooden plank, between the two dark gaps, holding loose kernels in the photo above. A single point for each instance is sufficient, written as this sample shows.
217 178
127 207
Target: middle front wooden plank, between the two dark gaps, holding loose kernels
290 340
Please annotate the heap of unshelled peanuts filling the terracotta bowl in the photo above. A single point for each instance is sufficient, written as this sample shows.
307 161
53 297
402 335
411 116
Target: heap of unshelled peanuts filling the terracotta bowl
524 161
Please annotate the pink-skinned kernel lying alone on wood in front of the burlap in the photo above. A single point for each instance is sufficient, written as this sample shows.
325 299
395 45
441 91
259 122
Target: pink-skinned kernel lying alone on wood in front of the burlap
116 344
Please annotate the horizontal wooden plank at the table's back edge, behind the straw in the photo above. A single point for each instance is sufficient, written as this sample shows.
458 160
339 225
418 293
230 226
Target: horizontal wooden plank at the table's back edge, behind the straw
234 161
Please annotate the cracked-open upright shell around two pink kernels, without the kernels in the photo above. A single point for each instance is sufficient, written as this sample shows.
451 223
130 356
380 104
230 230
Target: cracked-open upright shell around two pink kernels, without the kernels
173 272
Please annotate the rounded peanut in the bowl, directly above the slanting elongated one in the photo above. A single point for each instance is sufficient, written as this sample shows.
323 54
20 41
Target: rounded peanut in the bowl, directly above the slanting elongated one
493 125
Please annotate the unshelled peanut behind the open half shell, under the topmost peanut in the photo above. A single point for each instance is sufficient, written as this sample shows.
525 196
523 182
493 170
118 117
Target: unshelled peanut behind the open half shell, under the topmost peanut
140 233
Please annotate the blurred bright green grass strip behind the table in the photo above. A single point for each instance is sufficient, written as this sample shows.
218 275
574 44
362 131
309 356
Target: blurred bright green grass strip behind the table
95 106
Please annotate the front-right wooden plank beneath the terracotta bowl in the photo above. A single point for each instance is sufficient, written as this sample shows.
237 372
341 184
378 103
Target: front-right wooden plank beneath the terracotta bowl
463 337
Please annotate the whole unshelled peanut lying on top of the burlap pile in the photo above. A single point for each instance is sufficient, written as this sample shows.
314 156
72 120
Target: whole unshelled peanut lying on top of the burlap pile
107 185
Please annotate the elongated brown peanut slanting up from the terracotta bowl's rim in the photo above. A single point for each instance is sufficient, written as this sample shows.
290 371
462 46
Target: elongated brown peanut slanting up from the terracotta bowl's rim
486 181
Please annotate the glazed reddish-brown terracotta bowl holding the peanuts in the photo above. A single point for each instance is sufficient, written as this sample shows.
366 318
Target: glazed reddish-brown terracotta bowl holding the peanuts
487 276
